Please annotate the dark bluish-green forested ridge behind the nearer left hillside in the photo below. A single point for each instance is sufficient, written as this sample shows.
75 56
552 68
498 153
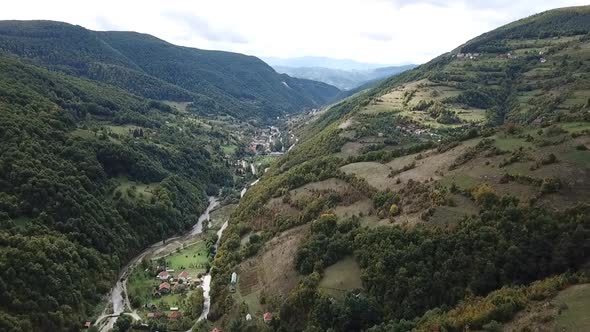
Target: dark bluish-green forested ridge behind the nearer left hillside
214 81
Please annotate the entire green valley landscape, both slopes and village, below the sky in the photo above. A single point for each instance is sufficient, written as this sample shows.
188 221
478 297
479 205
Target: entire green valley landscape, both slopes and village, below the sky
147 186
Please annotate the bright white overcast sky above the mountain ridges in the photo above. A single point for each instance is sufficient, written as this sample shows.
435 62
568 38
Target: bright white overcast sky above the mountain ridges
370 31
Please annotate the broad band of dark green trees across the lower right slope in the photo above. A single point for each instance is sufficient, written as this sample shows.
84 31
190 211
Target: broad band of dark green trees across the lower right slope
408 272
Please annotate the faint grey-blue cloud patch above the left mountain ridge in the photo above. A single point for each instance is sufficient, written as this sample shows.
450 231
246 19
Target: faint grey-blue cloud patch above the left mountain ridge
203 28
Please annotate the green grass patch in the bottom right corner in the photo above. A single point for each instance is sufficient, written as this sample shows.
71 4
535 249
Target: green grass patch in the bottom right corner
577 315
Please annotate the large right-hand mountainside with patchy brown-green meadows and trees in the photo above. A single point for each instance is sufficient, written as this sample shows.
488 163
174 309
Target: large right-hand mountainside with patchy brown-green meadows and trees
448 197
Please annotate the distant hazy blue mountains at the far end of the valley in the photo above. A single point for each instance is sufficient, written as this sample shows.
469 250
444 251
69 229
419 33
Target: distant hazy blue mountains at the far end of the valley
343 79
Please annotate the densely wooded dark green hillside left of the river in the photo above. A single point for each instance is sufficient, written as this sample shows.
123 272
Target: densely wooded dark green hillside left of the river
89 175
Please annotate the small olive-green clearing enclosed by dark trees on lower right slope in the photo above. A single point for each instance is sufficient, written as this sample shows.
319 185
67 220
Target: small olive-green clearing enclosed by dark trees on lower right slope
340 277
